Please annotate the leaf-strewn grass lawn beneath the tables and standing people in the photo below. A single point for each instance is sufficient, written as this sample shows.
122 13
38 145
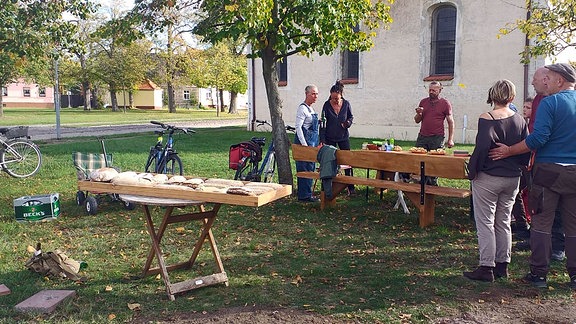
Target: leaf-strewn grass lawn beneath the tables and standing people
361 261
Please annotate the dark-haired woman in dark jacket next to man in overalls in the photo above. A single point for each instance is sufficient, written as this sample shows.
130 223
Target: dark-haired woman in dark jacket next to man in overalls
336 119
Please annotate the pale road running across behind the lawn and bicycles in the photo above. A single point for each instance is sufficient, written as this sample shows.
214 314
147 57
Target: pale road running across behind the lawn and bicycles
49 132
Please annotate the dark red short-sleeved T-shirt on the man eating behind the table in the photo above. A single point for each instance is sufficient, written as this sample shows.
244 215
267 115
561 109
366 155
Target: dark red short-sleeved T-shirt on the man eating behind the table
433 116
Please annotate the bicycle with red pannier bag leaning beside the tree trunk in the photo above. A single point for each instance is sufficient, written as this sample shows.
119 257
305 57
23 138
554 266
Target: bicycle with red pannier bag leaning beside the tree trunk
245 158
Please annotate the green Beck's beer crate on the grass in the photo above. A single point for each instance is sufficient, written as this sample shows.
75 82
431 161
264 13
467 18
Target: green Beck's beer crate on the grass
37 208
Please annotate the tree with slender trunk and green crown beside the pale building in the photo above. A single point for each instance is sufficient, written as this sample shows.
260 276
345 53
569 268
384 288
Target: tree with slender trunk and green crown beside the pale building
277 29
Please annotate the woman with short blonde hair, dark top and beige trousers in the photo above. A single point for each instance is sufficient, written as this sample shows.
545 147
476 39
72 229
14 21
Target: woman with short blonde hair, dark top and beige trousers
495 182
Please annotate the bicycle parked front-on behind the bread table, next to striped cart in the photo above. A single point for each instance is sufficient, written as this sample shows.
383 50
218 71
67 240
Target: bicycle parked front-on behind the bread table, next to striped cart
163 158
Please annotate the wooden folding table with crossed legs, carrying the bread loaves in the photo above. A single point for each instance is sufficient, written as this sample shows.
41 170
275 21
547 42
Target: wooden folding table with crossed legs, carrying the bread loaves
171 199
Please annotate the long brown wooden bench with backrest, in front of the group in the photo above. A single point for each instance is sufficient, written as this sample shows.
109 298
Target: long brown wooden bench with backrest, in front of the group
421 195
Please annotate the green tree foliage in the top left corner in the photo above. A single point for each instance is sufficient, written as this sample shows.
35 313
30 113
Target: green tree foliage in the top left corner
29 29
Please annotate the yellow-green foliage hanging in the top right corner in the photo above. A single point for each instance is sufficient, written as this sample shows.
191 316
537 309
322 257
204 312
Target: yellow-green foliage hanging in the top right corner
549 25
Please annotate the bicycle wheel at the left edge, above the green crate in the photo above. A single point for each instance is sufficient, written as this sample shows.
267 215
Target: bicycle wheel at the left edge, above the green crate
21 158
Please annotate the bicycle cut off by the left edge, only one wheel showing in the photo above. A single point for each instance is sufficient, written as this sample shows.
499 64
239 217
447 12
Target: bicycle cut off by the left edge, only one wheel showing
19 157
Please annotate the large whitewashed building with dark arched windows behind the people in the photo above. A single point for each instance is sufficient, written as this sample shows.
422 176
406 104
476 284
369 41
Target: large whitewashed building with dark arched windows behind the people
452 41
